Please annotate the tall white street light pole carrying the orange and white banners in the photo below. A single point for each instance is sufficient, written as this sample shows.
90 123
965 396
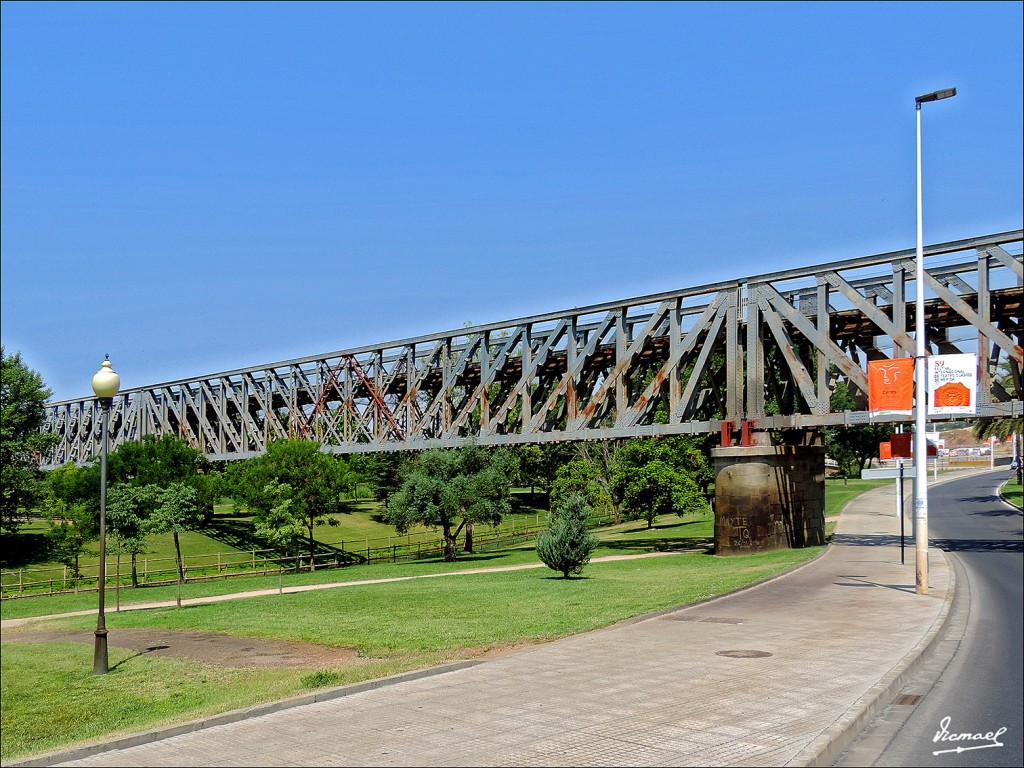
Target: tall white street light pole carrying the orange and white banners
921 376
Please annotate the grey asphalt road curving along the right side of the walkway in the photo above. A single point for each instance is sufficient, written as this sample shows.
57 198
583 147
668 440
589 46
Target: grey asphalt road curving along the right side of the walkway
976 684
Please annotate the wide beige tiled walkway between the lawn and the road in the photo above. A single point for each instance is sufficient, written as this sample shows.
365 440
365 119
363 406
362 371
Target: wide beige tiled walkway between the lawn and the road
781 674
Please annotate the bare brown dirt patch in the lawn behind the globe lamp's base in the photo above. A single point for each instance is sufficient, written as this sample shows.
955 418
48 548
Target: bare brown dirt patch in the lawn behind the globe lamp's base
206 648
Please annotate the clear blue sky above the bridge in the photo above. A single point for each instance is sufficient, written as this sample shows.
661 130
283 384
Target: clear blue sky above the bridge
194 188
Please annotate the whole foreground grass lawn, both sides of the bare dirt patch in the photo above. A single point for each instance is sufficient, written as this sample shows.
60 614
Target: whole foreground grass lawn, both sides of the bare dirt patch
51 699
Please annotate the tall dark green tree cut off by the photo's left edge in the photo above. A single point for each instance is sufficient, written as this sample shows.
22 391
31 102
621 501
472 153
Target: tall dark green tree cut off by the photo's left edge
23 399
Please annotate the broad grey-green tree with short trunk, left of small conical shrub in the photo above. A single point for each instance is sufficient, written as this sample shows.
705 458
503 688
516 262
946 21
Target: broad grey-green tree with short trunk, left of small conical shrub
453 489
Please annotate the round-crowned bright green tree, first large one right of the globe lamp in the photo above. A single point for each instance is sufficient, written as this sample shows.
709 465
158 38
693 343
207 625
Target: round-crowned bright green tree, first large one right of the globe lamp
316 484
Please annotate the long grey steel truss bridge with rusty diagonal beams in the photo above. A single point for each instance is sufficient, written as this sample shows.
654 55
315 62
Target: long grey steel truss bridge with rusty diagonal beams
765 353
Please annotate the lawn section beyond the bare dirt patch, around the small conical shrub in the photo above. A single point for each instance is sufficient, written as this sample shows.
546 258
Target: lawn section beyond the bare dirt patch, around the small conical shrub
460 613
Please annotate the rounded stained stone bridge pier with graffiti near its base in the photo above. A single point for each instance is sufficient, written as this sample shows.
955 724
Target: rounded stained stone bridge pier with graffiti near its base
769 497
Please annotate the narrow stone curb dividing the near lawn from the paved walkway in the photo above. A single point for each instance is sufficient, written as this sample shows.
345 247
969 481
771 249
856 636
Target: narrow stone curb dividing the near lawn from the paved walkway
158 735
